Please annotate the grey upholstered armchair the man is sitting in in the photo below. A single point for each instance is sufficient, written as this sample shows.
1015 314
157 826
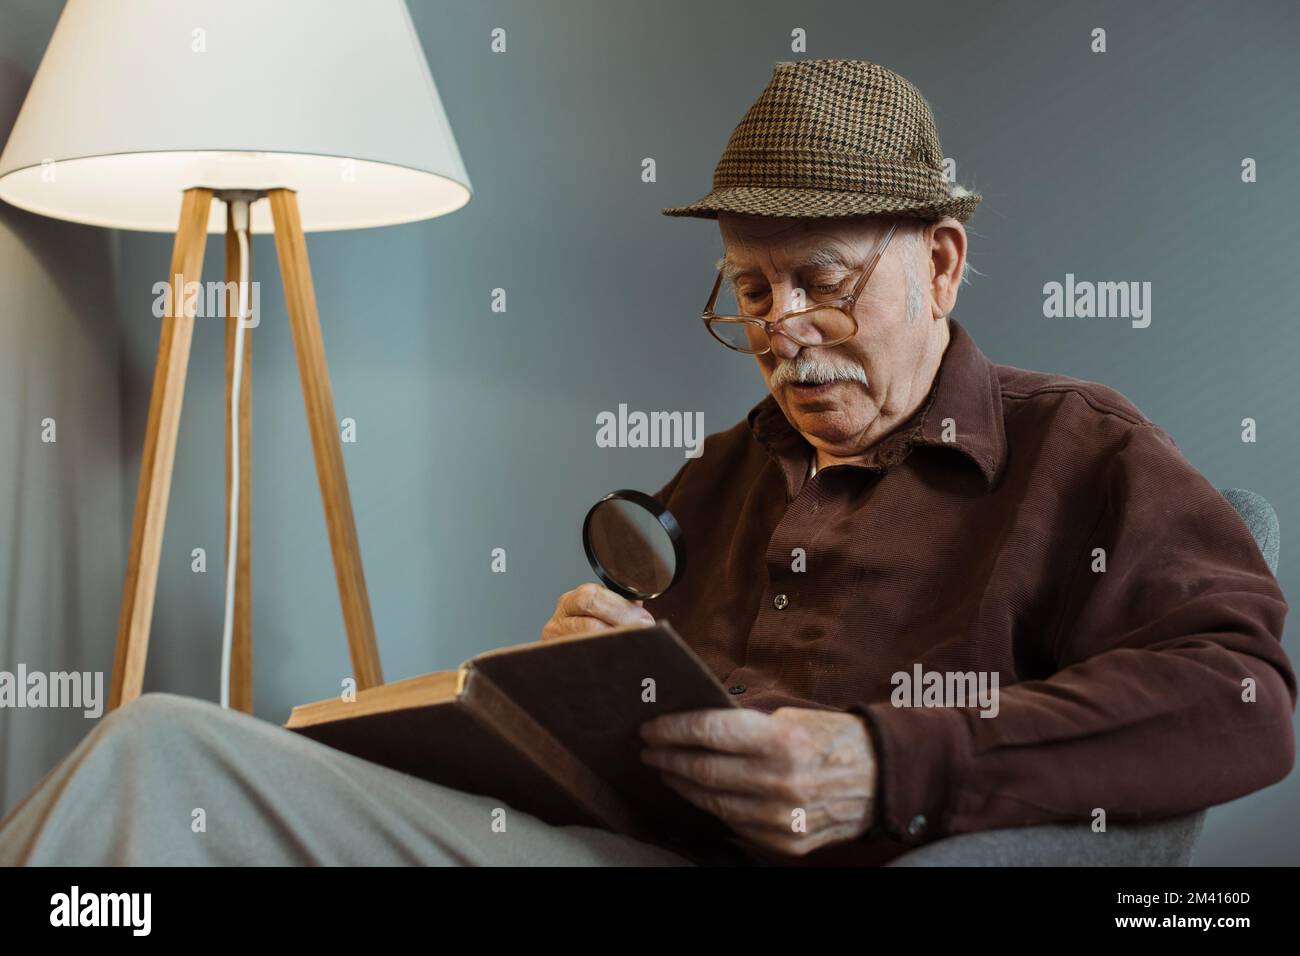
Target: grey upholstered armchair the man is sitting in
1160 843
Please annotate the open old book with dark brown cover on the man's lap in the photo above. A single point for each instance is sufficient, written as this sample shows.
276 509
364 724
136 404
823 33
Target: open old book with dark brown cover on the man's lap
552 729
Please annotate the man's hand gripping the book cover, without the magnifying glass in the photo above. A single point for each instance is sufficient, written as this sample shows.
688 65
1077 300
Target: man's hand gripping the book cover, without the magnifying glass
757 772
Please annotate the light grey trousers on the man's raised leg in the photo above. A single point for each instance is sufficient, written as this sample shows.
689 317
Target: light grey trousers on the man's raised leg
176 781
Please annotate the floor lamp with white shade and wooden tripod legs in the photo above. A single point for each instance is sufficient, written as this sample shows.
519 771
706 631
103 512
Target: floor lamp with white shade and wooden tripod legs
294 119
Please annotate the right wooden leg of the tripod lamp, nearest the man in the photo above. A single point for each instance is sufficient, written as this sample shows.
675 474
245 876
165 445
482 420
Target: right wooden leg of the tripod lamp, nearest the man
305 322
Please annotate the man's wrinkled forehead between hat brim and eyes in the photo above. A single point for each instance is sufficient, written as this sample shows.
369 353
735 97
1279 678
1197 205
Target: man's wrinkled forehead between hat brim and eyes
766 245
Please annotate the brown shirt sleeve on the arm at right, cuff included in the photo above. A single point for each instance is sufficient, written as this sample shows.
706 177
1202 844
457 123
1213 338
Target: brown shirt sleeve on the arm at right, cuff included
1172 691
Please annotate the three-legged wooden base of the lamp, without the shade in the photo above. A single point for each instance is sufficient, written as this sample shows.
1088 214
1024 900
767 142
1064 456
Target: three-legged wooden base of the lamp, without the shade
159 456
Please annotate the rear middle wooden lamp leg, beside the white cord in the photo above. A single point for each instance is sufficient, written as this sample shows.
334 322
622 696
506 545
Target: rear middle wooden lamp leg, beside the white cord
241 651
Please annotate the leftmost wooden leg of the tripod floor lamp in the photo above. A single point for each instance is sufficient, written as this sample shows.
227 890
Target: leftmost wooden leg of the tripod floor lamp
159 456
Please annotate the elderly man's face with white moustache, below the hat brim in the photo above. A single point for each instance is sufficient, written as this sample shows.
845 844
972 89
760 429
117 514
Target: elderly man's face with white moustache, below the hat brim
843 399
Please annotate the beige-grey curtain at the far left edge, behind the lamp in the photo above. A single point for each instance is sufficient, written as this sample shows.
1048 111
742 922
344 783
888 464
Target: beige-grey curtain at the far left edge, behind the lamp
63 547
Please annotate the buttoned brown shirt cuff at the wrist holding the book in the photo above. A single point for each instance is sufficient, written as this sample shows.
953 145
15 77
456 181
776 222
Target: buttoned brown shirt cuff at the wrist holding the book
922 754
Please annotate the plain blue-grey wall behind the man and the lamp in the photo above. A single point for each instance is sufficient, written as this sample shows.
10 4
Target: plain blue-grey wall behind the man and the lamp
478 430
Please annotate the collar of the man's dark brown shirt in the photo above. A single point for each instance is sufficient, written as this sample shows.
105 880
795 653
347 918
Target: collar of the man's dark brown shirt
965 391
